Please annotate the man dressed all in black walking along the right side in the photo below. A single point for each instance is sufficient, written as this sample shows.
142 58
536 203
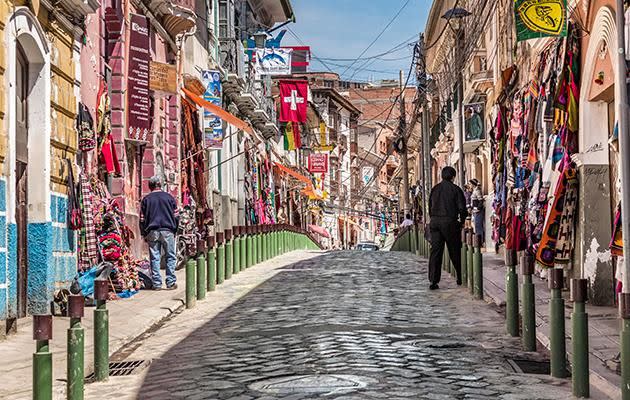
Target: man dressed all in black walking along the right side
447 209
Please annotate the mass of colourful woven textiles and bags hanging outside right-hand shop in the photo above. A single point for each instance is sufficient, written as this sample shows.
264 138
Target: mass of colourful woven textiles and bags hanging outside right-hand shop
535 178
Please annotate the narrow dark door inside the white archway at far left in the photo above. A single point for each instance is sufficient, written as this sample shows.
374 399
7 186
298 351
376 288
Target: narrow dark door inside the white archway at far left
21 181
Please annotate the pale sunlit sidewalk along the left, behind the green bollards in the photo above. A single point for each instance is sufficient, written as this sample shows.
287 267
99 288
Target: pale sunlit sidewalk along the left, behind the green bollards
129 319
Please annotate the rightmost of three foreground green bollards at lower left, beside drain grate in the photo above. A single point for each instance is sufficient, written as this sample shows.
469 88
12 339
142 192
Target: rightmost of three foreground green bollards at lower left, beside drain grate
101 331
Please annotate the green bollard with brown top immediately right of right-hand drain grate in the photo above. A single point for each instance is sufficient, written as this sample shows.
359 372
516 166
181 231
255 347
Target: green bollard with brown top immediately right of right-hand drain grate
556 321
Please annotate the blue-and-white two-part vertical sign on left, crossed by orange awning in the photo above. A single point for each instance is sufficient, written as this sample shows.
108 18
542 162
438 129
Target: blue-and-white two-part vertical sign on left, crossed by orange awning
212 125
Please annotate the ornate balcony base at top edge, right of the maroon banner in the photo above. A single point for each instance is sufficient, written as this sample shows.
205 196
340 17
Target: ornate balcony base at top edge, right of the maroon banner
176 16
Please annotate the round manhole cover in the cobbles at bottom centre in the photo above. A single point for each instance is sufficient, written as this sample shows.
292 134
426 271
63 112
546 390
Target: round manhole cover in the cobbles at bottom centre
312 384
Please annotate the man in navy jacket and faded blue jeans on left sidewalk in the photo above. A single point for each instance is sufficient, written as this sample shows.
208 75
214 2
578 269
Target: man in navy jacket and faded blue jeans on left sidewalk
158 225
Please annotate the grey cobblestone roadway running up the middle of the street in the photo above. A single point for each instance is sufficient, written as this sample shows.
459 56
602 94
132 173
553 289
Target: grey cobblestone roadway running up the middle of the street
342 325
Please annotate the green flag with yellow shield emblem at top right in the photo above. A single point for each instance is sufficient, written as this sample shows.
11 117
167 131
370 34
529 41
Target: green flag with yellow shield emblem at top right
540 18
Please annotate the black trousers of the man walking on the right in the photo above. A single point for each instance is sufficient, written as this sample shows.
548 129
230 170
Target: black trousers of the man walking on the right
449 233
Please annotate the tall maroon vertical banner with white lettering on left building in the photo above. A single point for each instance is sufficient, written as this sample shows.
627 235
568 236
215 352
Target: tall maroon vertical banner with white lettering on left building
138 100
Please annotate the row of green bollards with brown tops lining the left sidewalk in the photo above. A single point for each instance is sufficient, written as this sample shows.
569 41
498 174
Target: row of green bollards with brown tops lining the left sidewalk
218 259
